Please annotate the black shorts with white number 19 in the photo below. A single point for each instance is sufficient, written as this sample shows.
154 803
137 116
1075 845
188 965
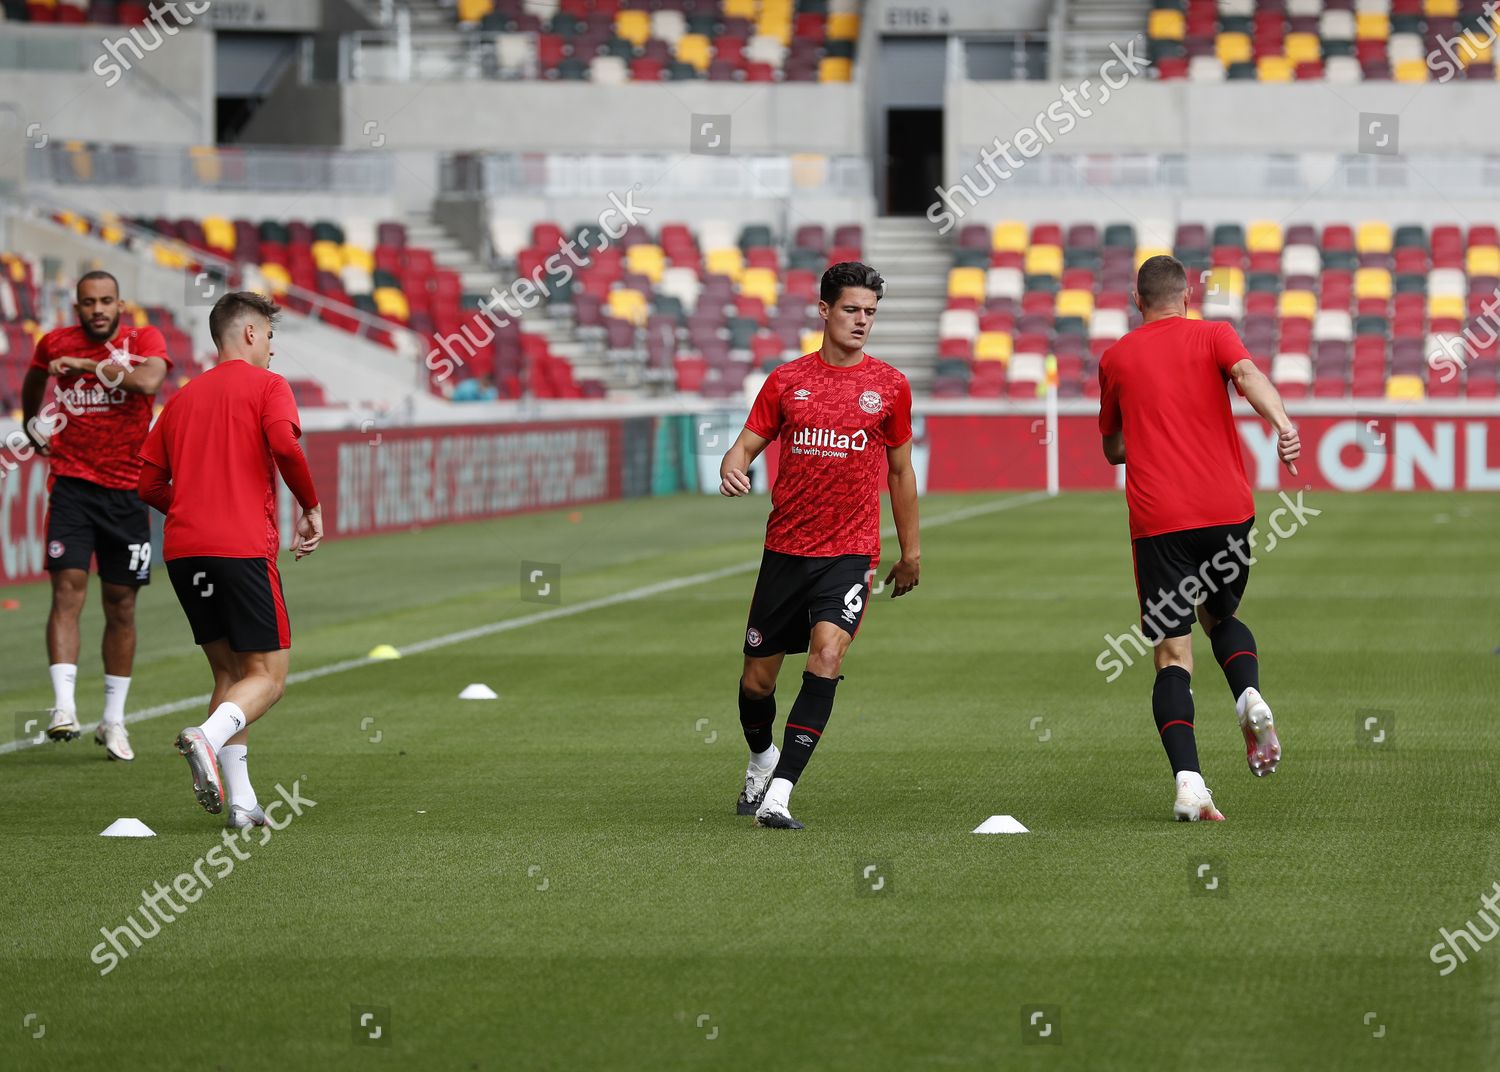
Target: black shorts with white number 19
86 523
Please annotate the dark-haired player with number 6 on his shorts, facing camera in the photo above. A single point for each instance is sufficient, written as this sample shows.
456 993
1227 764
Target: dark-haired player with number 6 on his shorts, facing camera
836 412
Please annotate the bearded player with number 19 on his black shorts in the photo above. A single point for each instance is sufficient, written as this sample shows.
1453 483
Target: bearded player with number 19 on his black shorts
107 376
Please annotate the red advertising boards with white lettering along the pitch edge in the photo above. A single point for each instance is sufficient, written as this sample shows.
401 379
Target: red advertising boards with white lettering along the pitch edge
403 479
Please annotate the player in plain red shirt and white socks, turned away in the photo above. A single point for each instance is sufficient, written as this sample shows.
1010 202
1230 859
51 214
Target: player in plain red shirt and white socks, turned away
211 466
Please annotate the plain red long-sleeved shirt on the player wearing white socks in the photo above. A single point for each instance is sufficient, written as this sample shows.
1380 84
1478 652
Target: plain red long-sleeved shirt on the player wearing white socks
215 440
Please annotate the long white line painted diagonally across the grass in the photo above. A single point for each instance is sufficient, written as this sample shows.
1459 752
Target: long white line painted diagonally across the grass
506 626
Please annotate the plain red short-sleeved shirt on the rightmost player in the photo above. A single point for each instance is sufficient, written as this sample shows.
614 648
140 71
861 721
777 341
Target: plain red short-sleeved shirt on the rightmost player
1163 386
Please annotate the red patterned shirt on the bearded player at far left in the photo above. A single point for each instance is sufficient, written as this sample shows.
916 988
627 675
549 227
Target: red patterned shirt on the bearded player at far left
100 428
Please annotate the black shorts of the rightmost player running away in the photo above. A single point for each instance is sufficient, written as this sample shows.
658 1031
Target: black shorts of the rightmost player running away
1177 572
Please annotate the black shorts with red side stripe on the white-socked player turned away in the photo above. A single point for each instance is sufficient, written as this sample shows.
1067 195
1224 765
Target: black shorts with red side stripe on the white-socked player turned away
239 599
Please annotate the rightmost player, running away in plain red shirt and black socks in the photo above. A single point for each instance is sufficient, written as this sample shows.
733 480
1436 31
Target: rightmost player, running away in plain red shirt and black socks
1163 395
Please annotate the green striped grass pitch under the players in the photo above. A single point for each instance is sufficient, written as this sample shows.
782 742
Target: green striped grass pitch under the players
557 879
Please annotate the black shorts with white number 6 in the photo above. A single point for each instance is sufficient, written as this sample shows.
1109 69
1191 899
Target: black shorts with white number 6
794 591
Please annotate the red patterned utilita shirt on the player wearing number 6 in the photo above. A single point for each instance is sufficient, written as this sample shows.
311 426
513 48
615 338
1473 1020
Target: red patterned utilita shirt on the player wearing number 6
835 427
